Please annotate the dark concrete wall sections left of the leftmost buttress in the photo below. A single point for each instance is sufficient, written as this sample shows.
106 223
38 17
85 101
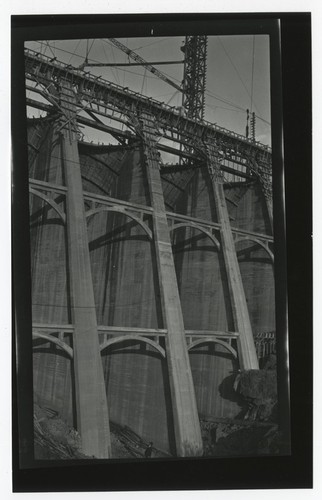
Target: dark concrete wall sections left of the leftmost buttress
49 268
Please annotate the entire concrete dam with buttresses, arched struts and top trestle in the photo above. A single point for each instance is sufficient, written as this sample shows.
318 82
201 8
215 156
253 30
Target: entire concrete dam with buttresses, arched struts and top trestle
152 284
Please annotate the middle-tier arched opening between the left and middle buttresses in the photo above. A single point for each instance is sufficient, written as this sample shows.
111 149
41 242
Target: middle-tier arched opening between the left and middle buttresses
123 269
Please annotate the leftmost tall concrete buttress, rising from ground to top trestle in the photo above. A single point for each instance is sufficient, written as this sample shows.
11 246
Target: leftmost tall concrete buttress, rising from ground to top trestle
91 401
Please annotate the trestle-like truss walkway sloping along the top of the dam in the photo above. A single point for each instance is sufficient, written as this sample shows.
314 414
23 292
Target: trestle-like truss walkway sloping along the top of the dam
120 103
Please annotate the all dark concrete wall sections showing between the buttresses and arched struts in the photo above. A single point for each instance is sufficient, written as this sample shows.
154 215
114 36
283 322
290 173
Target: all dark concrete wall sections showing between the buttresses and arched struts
126 286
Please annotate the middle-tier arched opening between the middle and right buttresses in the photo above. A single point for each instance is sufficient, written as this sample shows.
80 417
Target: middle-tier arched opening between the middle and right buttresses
202 279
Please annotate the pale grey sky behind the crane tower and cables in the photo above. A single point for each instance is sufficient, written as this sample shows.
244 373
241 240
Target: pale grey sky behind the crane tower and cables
237 75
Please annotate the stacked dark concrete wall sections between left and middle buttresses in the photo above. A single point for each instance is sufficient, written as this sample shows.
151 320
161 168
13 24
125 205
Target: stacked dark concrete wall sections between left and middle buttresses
126 294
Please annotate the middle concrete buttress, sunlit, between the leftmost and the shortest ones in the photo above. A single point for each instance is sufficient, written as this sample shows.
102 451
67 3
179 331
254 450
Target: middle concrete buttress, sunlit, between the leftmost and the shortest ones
186 421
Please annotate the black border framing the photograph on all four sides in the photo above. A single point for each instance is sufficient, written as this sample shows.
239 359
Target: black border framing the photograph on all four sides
290 44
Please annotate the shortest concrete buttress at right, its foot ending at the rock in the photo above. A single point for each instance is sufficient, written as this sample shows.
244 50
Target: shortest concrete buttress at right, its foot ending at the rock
245 342
